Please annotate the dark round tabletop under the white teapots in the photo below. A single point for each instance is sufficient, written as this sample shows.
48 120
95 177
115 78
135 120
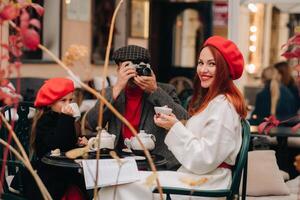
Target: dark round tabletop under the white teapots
142 163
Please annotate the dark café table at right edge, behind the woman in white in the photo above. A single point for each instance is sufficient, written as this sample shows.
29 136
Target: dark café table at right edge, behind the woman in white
282 134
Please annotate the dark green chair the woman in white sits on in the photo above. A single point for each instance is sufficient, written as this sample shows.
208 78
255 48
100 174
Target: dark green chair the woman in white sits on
239 171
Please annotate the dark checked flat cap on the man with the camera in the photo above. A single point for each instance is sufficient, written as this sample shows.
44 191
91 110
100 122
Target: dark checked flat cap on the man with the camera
133 53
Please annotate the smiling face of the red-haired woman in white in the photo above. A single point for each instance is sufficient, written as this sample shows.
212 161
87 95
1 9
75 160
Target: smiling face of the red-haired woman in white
206 68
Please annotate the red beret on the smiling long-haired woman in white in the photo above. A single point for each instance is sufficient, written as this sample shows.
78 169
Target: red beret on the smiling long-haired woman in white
230 52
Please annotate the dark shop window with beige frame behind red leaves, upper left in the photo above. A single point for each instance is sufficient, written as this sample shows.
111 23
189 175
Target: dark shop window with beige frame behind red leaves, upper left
50 32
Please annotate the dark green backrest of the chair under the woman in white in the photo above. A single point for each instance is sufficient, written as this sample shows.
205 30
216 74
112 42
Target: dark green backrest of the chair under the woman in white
241 161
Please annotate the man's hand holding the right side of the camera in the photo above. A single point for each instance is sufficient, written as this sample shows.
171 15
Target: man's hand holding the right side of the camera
146 83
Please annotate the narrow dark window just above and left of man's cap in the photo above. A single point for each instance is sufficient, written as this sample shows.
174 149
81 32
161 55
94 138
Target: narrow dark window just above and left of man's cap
102 15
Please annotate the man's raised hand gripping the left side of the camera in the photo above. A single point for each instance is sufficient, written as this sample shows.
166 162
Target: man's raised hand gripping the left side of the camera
124 74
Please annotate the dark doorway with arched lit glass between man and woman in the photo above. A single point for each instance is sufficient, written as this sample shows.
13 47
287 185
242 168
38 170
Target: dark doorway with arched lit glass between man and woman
163 41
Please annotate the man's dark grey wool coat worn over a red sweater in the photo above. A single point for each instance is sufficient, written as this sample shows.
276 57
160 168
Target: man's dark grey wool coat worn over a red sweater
164 95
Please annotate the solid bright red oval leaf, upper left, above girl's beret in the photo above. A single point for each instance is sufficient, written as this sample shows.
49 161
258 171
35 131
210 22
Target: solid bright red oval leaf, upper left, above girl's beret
30 38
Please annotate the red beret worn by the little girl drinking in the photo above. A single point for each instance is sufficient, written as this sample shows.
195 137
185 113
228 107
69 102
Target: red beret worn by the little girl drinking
53 90
